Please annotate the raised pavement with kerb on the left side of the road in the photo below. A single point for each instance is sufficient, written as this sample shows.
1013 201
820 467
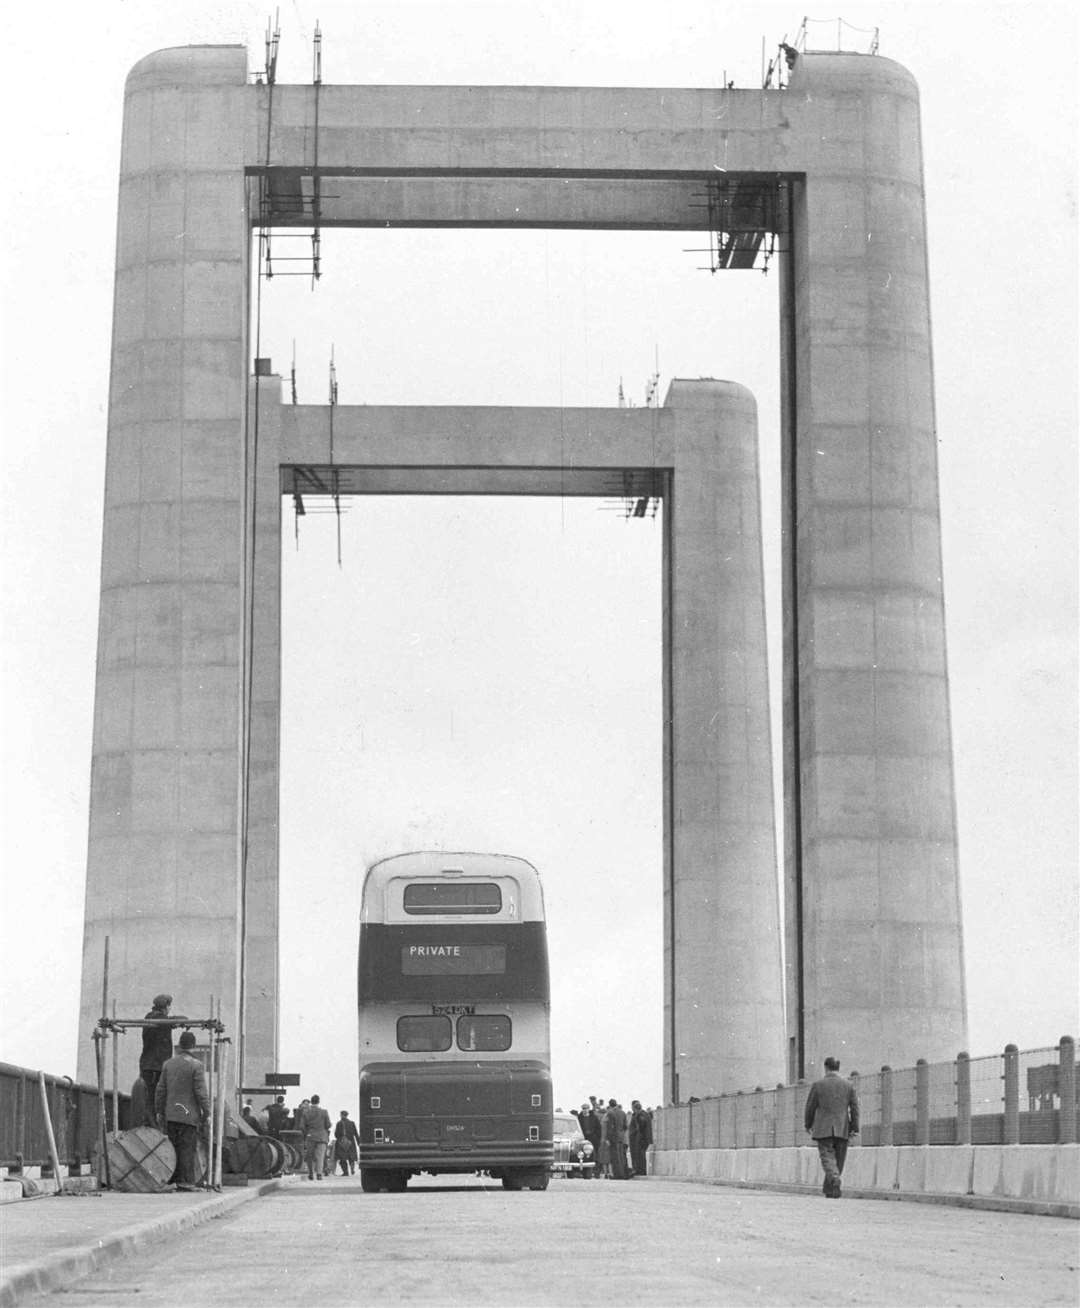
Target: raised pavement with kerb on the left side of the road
54 1239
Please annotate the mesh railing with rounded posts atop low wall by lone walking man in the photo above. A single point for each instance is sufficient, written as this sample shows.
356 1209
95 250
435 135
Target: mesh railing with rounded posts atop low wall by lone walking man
1014 1098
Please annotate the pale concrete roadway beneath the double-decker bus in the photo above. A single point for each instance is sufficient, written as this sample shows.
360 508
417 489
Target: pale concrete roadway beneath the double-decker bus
656 1242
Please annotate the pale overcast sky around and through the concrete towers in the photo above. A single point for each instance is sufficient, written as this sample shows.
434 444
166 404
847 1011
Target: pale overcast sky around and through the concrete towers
487 674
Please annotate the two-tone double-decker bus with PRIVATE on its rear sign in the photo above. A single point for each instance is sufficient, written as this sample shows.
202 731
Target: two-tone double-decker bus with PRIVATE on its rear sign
454 1022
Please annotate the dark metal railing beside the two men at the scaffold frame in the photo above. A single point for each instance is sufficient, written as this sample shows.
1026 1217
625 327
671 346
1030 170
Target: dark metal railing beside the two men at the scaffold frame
75 1112
